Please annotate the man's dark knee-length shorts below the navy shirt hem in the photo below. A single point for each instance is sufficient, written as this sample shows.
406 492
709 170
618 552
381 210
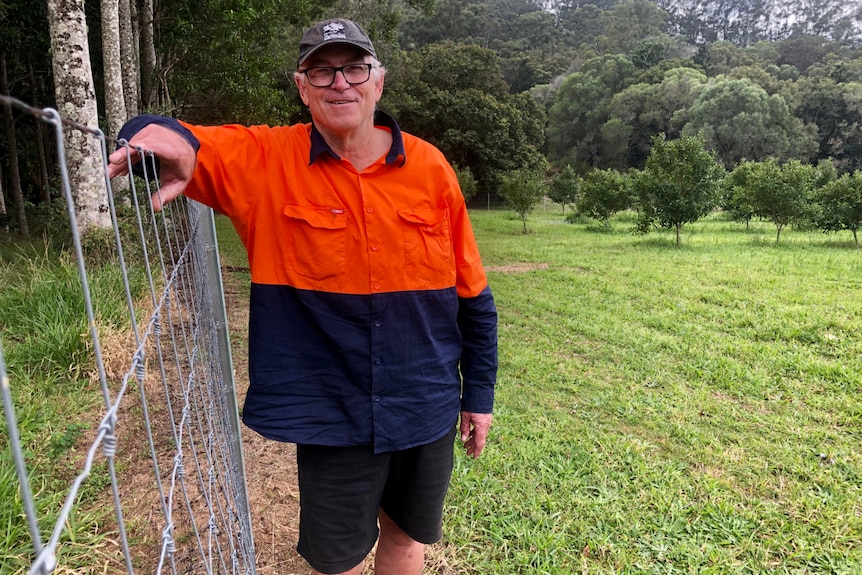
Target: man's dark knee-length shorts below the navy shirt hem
342 489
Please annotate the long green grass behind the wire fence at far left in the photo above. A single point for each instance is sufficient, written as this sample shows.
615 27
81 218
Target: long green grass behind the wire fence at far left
46 343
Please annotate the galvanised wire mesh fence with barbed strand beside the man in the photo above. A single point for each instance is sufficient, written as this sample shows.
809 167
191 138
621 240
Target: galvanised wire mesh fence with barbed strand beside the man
183 370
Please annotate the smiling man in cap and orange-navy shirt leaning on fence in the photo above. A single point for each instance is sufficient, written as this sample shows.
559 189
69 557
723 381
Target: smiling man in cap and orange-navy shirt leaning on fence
372 324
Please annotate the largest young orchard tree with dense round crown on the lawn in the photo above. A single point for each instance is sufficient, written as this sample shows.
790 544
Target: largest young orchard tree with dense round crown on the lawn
679 185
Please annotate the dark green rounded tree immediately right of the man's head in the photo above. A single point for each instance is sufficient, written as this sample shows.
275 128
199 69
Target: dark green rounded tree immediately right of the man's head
454 96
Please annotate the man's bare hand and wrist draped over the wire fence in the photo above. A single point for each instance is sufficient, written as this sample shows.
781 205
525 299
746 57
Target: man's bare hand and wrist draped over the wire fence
176 161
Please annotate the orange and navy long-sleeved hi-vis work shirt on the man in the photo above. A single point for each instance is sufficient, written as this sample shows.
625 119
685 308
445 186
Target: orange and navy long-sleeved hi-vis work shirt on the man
371 320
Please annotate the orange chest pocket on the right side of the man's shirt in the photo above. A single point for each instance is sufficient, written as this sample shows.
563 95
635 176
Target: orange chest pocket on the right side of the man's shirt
427 244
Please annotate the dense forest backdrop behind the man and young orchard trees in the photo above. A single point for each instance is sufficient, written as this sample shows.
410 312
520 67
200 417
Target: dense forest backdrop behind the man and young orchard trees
501 86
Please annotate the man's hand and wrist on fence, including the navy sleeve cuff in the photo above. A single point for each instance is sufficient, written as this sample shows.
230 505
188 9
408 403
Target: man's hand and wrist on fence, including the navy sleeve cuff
173 145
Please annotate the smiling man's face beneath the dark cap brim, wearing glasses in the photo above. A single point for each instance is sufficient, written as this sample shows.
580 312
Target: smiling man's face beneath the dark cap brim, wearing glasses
340 107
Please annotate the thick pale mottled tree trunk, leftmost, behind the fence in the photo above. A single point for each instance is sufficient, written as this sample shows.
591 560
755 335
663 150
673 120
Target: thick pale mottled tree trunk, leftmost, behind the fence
76 101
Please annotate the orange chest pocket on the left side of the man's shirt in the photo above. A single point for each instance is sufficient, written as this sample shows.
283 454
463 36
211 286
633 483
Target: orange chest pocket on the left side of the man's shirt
318 236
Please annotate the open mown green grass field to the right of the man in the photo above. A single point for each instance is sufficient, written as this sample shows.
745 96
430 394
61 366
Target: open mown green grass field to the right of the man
664 409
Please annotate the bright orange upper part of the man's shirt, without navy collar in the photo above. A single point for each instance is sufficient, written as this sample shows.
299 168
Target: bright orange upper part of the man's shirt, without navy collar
327 227
